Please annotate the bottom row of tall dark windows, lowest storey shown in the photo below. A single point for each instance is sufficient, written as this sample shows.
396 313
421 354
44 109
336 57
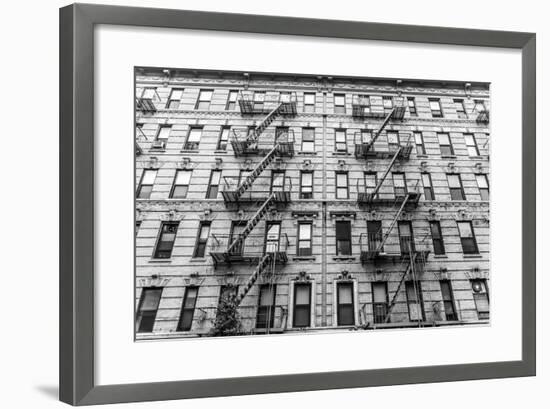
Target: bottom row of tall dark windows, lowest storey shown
303 300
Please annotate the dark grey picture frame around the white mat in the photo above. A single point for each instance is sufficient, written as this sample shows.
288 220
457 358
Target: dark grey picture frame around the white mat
77 385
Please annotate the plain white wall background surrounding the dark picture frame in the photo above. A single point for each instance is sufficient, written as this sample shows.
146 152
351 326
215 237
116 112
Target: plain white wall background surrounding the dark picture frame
29 220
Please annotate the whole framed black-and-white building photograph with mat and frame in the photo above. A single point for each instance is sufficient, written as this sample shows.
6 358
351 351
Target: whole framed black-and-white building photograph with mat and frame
318 211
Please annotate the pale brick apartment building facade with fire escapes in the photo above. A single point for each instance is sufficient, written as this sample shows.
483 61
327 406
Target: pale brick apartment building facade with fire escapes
317 203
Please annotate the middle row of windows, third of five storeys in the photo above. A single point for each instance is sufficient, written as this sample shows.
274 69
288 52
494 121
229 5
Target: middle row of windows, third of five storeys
182 180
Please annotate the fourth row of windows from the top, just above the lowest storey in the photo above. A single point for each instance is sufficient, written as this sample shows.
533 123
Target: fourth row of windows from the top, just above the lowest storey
374 238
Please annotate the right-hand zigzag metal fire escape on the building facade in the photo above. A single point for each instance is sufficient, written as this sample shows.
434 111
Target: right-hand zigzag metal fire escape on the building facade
401 195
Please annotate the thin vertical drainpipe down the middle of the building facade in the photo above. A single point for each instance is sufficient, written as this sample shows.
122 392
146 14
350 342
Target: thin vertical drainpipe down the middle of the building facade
324 220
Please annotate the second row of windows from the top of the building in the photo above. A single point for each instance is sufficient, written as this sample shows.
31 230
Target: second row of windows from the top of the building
308 139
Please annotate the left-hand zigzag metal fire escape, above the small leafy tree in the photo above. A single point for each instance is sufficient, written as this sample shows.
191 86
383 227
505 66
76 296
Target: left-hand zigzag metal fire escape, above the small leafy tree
276 145
